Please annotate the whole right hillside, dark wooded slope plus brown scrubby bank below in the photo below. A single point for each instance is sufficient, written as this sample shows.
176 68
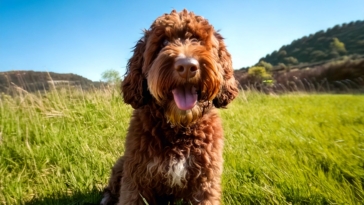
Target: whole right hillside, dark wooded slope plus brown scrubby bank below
328 61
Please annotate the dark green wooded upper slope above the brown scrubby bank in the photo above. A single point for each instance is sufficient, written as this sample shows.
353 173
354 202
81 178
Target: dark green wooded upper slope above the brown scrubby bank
341 40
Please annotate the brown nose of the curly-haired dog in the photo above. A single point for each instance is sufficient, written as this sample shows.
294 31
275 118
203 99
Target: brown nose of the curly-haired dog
187 67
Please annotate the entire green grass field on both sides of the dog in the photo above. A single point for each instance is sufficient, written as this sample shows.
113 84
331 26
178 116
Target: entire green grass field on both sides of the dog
58 147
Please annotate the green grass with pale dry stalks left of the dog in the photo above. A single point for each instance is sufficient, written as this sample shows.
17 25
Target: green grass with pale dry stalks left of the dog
59 144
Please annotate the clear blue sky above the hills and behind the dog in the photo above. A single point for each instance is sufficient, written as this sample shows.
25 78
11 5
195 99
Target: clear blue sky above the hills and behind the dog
87 37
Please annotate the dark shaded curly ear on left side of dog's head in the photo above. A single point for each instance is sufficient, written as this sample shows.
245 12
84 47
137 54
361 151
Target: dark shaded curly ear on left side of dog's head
134 86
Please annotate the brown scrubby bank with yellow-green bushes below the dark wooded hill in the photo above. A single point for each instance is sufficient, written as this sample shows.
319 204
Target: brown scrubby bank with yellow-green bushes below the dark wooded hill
346 75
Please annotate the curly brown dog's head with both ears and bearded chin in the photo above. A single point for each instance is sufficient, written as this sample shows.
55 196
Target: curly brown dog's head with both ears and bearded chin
182 64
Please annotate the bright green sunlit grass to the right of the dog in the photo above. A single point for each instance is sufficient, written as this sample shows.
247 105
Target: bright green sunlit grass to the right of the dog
294 149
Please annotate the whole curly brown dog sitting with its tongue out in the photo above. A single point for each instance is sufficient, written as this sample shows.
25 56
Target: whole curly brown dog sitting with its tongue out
179 74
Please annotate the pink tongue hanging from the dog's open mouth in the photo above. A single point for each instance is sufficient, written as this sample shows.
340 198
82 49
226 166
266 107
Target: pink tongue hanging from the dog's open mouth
185 97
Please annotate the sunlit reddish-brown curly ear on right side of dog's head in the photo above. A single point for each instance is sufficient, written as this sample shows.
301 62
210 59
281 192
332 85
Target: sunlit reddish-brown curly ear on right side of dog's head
229 89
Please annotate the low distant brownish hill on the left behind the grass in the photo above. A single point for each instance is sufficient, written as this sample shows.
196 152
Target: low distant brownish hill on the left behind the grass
34 81
